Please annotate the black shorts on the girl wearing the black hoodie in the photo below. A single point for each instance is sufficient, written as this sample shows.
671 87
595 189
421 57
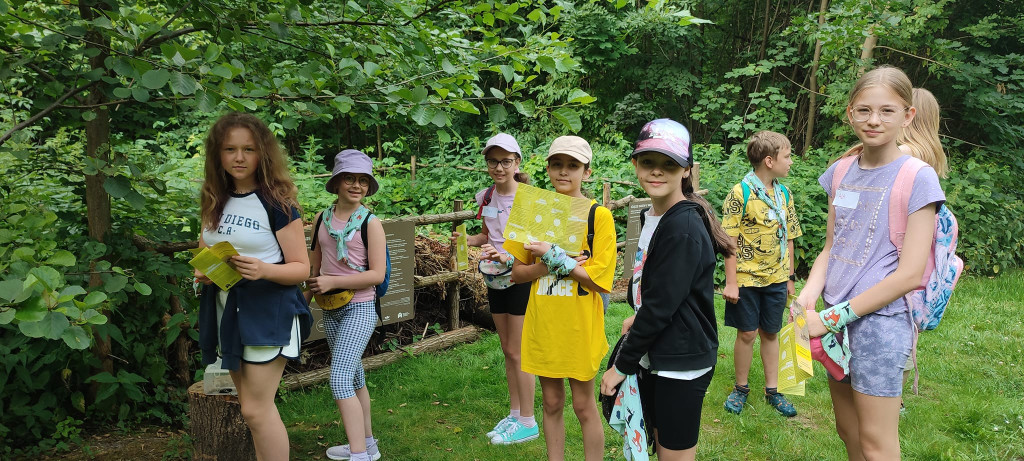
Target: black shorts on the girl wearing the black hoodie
673 407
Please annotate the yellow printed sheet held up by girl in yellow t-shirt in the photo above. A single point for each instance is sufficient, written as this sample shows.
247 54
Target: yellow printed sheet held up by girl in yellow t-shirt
540 216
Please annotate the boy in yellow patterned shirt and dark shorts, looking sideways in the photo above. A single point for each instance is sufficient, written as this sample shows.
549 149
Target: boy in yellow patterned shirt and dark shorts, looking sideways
759 214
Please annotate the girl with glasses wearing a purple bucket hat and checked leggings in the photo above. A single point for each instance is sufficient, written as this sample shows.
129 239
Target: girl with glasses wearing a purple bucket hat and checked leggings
348 265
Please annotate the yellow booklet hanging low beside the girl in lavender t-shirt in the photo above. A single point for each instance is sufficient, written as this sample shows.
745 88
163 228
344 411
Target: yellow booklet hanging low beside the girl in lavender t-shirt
795 365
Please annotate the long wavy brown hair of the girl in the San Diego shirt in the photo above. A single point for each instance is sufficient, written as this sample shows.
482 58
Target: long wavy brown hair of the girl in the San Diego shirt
272 174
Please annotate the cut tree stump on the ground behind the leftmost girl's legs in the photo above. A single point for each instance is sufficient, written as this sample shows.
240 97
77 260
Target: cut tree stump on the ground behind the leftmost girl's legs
217 428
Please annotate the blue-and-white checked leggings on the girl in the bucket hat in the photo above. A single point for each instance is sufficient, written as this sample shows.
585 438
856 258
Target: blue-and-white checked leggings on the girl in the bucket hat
349 330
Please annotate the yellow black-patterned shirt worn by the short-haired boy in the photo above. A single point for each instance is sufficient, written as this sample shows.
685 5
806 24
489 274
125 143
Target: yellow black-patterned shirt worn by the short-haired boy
758 260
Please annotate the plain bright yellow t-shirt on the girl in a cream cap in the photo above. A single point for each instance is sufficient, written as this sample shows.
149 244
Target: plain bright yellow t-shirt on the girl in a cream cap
564 331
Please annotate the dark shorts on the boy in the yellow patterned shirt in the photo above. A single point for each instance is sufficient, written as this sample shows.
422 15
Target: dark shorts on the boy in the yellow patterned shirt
759 308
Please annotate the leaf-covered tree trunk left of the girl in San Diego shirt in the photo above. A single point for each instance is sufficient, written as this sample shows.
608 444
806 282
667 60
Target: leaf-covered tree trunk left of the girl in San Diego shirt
98 146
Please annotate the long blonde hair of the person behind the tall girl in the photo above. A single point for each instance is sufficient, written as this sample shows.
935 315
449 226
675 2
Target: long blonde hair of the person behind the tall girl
922 138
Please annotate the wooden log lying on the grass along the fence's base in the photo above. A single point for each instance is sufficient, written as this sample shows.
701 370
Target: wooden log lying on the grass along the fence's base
432 345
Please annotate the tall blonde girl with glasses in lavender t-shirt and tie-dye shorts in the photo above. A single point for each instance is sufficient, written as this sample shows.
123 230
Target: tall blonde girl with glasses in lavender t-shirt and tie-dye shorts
867 326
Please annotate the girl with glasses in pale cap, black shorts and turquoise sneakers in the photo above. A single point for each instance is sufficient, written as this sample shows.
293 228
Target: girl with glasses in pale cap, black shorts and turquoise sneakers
507 302
